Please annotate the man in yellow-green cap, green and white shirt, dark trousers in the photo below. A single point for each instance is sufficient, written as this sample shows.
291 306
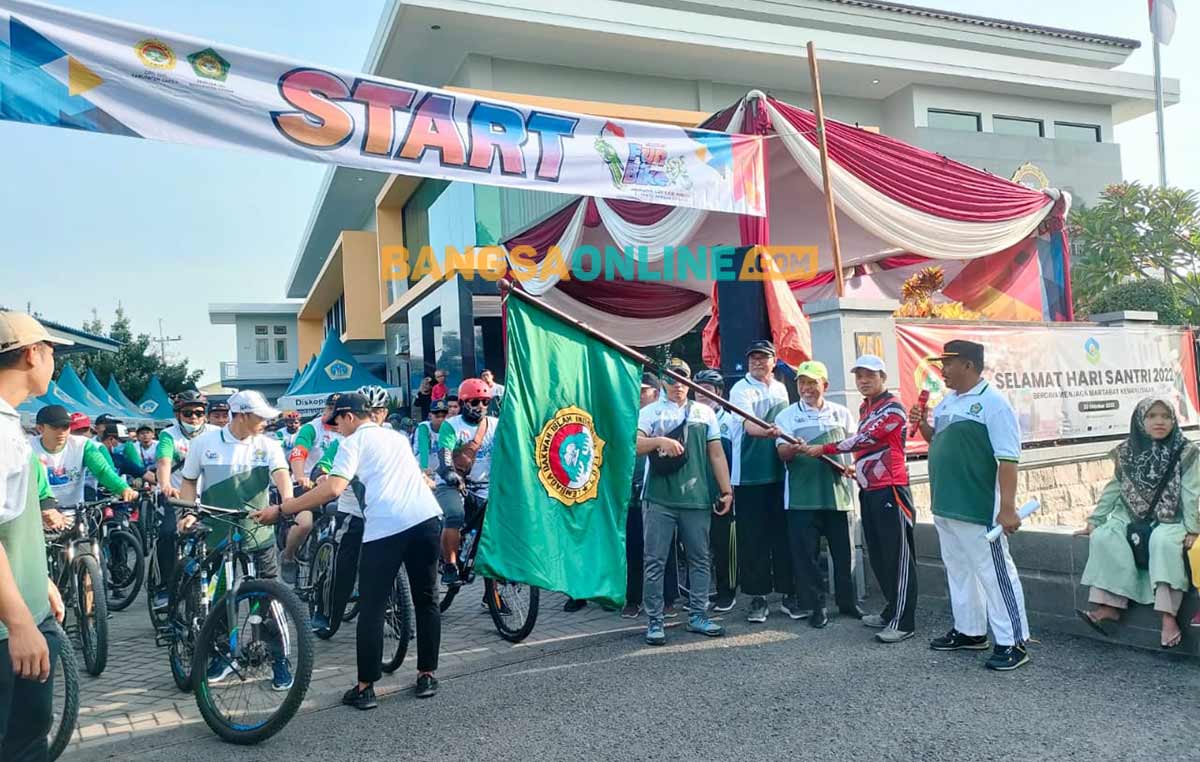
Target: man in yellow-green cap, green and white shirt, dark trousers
817 496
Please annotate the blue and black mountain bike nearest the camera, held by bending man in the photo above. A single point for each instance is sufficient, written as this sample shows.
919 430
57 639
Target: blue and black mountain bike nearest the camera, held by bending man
253 626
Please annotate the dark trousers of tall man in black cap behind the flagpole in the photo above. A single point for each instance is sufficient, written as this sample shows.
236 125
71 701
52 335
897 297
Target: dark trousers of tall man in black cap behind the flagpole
764 556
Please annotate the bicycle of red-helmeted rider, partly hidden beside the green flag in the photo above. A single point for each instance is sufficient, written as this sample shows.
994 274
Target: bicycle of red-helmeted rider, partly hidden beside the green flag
513 605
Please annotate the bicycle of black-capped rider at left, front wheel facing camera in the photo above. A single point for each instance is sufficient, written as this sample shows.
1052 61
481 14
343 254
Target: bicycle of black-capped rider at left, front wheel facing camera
73 556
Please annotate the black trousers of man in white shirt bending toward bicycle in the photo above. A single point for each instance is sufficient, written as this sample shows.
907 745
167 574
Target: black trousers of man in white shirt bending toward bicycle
418 549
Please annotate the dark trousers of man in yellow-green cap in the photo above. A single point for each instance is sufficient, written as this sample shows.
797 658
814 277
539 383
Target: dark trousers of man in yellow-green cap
805 532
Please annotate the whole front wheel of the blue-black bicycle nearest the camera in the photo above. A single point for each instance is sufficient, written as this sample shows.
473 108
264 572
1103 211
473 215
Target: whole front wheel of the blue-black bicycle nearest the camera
241 699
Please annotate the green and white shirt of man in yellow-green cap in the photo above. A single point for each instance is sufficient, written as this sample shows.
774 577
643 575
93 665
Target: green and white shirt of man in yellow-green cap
812 484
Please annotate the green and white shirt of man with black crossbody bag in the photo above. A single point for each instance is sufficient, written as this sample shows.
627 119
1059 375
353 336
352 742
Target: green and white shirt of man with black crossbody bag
687 488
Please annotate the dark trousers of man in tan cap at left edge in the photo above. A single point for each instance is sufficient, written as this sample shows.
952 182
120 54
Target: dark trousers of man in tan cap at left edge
27 707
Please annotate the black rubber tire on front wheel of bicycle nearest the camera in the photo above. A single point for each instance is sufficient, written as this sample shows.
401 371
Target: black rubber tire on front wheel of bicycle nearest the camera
215 626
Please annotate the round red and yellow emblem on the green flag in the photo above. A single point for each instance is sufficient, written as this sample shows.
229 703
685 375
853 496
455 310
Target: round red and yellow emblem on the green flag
569 455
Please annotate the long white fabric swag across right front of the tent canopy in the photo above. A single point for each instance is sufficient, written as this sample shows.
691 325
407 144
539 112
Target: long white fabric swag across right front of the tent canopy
907 229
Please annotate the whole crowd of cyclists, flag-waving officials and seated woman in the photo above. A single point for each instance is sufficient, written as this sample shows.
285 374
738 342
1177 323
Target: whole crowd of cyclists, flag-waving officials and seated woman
746 493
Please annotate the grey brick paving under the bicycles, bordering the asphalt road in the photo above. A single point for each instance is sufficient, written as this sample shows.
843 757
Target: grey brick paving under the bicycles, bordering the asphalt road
136 697
